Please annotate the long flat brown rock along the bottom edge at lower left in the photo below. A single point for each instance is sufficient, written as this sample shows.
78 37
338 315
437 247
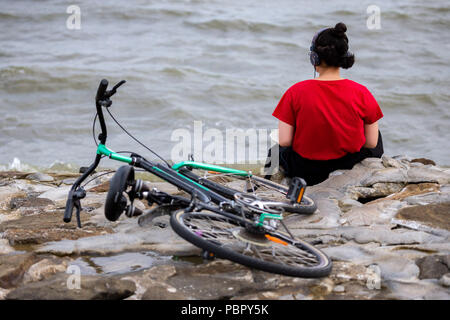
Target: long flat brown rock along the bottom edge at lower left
61 287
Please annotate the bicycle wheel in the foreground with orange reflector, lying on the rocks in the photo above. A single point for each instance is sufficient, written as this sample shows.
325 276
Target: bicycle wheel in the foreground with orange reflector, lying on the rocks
230 239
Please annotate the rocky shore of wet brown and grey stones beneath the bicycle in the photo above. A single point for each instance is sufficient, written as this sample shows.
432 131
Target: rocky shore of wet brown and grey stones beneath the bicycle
385 224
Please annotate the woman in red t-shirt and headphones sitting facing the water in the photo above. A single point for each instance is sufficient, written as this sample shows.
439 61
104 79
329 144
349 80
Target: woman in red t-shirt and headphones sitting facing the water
327 123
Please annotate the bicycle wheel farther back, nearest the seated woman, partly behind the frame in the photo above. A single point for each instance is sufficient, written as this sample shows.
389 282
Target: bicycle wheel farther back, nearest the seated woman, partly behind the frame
228 184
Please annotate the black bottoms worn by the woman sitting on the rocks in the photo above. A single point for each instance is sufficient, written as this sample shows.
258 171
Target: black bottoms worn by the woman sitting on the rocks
316 171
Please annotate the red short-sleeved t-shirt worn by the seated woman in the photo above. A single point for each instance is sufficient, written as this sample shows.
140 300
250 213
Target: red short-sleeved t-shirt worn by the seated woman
328 117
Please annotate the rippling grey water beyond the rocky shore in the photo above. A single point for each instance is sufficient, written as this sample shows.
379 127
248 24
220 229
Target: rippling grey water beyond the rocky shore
225 62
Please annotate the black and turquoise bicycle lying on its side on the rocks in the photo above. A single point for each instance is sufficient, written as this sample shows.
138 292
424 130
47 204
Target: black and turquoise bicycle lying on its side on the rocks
245 226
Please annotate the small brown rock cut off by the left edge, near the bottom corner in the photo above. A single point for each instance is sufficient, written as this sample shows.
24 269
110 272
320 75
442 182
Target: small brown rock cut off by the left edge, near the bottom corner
13 267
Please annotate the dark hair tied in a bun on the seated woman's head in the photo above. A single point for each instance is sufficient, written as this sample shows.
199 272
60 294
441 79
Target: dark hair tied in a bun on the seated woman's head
332 47
